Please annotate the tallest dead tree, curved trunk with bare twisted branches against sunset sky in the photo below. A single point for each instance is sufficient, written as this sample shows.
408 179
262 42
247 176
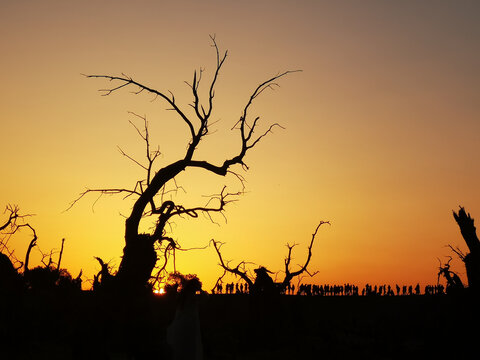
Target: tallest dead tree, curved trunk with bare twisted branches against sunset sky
139 255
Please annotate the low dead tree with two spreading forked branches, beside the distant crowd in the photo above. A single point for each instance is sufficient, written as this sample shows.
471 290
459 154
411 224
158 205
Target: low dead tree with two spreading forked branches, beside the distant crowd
241 270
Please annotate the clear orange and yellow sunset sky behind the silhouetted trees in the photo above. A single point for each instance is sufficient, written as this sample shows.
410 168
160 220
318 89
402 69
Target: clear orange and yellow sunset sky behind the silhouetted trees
381 136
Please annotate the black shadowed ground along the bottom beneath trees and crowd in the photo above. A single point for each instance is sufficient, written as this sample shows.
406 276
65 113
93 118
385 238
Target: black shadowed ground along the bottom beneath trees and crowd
87 326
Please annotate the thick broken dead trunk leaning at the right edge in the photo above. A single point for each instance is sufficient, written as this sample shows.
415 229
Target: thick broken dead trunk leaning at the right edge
472 259
